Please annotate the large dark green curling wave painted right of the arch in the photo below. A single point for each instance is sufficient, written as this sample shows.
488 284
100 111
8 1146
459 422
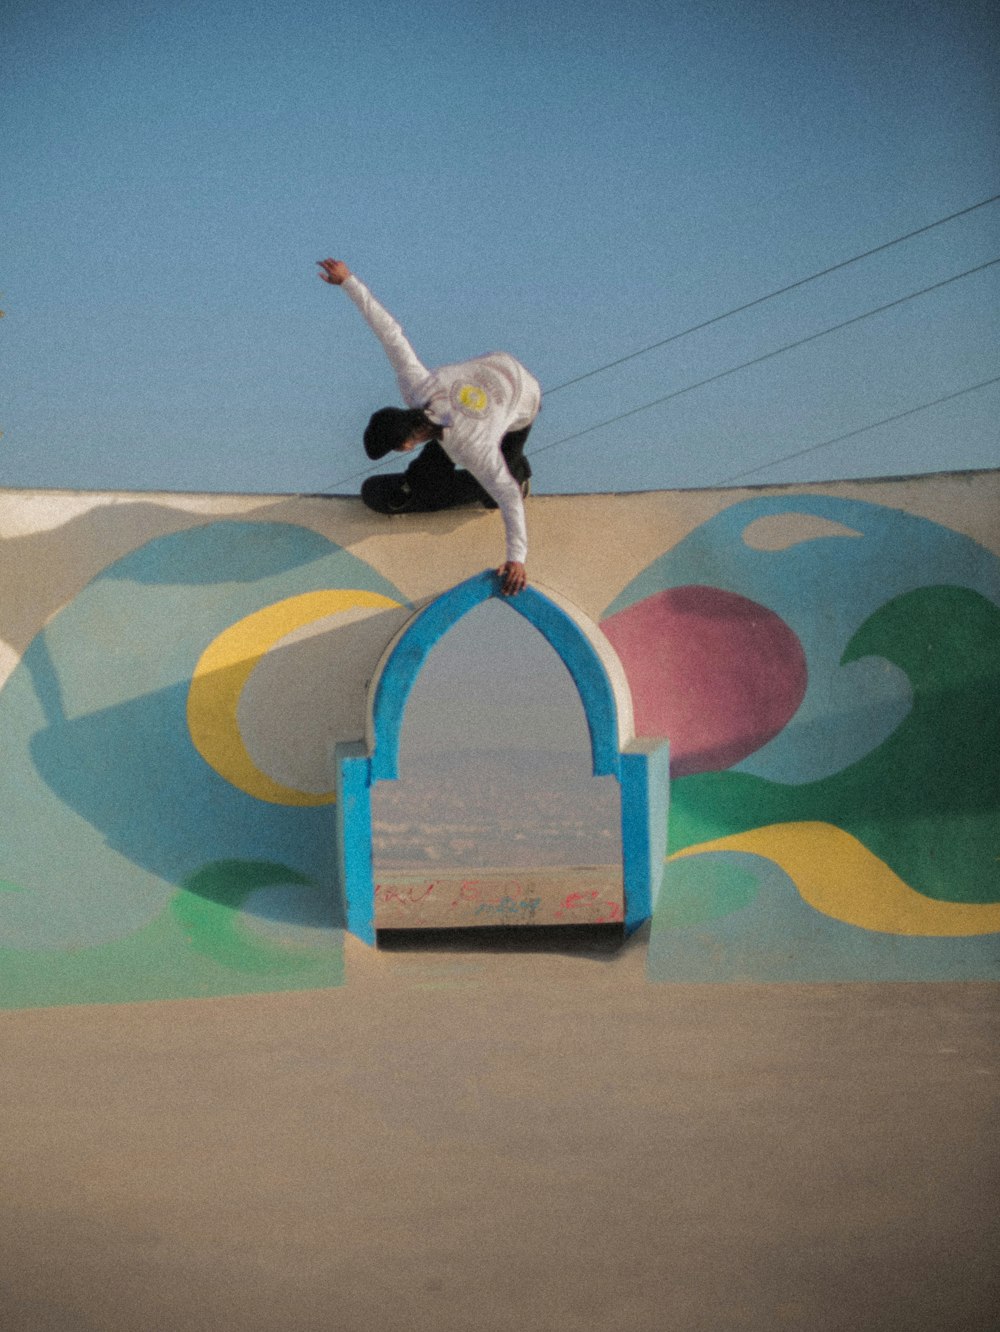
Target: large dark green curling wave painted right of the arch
926 801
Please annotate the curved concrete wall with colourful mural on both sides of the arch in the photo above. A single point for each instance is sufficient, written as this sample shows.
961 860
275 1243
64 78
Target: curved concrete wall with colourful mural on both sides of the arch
176 672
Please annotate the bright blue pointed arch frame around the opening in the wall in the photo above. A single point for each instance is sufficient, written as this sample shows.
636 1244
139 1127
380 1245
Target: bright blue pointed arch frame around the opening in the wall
641 767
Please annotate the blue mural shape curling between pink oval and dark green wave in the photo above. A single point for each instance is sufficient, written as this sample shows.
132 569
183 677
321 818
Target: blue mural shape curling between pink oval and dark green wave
798 553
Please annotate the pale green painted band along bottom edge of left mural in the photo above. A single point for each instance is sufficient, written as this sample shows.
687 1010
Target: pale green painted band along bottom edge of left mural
155 964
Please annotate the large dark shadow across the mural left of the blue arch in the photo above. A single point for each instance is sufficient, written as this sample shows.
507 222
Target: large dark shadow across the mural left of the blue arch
132 772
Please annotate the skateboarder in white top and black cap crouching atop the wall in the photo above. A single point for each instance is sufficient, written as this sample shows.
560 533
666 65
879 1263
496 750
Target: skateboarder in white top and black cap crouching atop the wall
477 414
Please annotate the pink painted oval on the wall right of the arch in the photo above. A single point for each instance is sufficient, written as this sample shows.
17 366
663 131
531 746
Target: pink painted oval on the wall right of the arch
717 673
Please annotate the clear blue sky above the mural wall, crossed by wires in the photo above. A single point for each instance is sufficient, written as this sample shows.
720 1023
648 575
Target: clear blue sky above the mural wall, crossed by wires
571 183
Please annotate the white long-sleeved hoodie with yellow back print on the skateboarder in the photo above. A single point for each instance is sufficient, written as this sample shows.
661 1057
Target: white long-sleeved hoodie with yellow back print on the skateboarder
476 402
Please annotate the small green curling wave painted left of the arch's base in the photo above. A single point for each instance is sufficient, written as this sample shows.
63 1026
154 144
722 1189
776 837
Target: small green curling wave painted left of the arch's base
208 912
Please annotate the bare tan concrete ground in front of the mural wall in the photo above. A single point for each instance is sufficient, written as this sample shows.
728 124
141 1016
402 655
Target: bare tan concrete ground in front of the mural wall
529 1137
